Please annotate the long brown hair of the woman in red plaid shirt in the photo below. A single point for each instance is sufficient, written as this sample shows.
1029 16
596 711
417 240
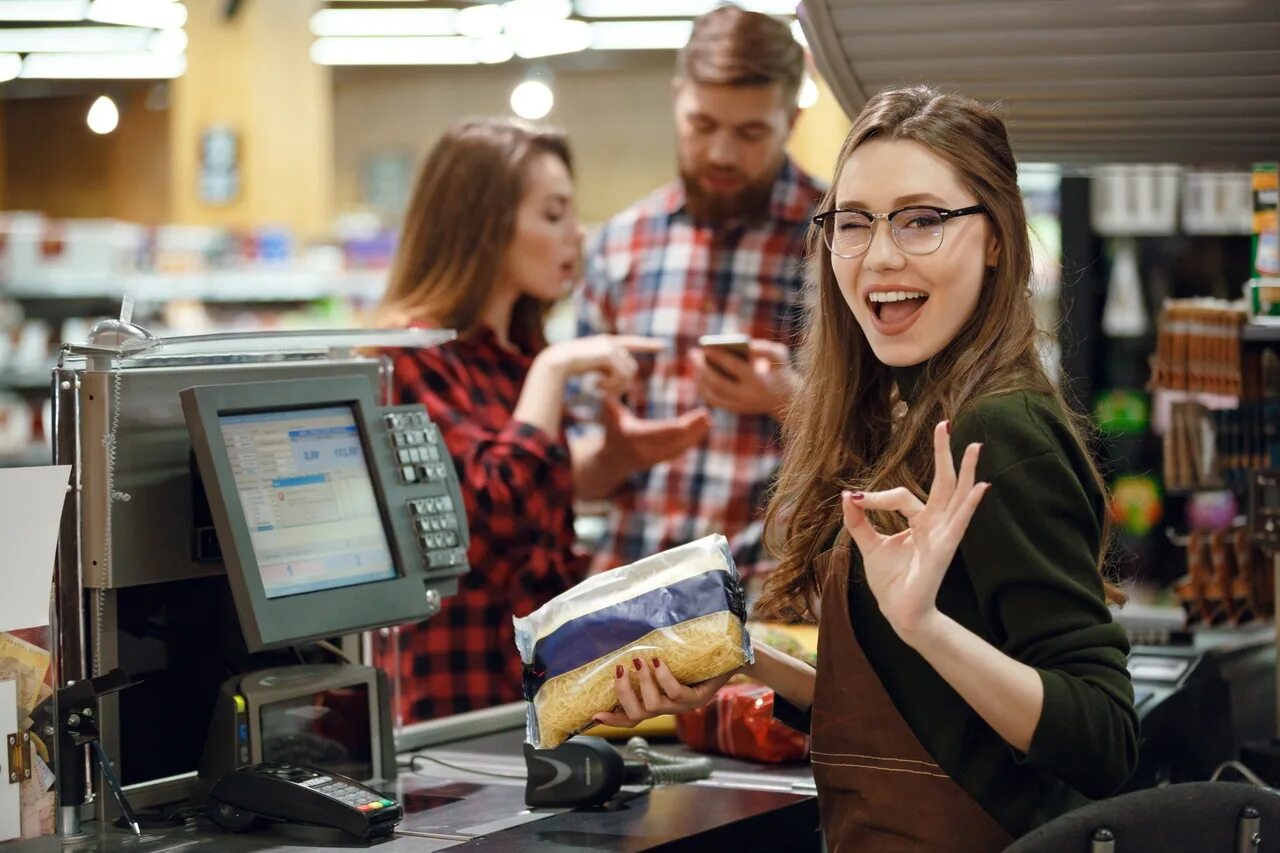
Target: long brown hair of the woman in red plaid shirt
460 223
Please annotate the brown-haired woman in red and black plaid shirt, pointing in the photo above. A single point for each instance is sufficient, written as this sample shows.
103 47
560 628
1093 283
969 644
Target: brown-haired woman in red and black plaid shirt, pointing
491 241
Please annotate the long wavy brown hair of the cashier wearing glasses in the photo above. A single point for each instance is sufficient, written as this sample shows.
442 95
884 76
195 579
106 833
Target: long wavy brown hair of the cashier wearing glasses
840 432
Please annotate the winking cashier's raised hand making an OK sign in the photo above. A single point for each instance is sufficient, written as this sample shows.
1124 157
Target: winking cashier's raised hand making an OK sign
904 571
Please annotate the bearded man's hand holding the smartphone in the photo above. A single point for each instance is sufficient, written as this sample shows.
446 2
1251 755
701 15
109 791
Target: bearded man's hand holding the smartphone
762 385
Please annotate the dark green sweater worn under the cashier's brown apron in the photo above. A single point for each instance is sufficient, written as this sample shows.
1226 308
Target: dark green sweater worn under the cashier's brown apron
1026 580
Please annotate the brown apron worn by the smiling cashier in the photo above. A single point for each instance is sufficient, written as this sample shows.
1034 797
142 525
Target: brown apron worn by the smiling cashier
879 790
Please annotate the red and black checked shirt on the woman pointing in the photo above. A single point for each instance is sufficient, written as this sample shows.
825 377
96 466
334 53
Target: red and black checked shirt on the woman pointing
518 485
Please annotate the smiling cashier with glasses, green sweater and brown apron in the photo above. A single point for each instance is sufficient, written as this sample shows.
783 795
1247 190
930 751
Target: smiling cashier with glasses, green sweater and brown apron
971 682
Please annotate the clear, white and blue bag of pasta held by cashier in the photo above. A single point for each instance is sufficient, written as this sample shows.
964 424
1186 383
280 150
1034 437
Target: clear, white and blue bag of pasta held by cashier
685 606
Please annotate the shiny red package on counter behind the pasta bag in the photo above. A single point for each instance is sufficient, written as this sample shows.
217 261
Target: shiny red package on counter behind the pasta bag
739 723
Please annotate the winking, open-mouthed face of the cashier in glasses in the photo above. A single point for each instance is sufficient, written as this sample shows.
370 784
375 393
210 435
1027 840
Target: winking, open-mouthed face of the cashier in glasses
911 307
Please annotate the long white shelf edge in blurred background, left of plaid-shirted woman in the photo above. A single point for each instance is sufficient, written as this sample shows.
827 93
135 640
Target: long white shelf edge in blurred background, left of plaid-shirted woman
222 286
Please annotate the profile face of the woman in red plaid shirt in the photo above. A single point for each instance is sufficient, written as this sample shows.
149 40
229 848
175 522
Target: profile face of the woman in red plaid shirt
546 253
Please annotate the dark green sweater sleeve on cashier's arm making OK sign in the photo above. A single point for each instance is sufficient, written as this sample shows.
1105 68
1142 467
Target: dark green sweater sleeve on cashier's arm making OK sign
1032 556
